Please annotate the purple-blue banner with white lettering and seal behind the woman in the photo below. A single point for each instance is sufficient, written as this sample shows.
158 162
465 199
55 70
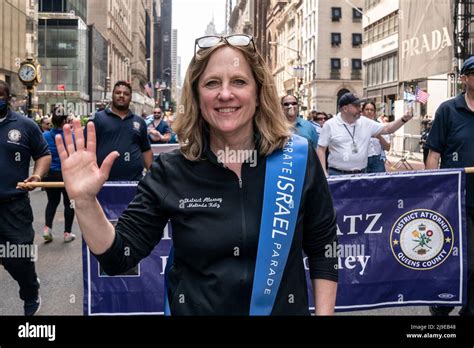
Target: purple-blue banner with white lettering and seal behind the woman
402 241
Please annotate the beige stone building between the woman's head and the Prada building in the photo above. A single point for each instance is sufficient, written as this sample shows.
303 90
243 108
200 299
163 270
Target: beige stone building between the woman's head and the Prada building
315 50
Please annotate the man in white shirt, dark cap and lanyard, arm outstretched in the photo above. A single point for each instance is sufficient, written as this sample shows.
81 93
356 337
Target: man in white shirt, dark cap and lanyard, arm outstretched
347 136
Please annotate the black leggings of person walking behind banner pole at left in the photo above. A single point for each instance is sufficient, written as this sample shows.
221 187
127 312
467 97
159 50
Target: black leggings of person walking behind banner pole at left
54 197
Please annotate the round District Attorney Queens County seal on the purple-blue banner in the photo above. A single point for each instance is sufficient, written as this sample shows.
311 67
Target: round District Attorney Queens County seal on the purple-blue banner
421 239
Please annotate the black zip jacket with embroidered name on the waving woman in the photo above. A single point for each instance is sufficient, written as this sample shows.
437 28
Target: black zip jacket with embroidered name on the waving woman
215 222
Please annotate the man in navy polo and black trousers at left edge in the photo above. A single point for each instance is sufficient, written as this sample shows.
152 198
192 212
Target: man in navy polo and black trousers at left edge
20 140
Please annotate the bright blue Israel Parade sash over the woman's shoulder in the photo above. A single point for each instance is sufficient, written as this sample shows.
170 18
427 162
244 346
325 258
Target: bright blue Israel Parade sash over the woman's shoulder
284 180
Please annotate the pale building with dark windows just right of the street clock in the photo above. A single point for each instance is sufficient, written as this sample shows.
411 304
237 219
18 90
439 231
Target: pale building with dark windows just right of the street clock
63 53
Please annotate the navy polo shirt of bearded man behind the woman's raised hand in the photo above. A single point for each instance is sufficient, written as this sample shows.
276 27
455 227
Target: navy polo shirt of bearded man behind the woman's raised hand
128 136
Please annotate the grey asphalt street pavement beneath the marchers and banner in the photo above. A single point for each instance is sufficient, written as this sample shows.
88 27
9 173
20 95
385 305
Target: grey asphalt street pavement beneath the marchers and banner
59 267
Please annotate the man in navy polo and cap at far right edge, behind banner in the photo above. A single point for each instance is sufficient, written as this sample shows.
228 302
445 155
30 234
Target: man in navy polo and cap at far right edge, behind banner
451 140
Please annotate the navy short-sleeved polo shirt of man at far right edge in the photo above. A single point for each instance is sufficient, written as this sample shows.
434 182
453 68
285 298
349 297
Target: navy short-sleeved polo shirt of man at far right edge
452 136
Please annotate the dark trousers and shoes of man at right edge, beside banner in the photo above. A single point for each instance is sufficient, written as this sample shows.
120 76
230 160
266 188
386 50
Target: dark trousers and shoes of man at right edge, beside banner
468 308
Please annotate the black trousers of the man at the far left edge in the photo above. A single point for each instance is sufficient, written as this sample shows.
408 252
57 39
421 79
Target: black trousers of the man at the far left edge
16 228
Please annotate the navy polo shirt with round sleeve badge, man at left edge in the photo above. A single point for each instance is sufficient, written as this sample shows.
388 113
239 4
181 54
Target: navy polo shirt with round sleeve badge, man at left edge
20 140
